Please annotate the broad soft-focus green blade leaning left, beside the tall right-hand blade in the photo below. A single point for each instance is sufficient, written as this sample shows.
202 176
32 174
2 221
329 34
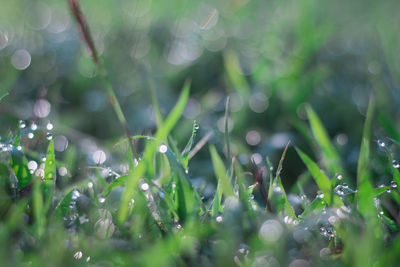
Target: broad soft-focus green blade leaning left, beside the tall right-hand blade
329 154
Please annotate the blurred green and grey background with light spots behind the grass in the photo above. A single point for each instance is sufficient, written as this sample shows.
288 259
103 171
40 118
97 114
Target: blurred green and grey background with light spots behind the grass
270 57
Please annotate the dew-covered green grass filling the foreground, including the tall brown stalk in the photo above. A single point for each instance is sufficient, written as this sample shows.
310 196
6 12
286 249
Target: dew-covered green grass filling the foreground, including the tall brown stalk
155 213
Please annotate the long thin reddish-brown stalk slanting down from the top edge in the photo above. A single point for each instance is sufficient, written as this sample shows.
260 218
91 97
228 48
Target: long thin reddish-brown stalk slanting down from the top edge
88 40
